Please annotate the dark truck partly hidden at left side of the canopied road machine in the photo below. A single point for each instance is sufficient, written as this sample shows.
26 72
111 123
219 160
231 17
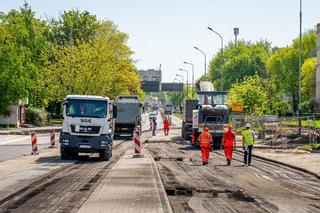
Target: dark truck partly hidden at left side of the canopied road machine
186 129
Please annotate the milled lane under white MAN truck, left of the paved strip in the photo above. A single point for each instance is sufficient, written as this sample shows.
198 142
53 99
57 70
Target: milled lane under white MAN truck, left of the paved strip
66 189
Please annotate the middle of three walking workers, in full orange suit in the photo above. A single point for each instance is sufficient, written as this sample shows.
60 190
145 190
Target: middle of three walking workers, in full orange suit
229 143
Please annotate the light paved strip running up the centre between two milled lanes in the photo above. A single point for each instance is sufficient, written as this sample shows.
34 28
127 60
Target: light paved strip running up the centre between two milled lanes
132 185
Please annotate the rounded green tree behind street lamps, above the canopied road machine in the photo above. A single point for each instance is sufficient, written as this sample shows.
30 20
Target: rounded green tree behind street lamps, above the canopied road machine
237 62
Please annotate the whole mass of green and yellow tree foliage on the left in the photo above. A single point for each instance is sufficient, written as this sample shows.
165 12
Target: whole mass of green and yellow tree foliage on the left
44 60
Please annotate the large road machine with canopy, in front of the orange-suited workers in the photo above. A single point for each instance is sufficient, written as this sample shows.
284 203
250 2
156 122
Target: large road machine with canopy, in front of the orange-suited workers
211 112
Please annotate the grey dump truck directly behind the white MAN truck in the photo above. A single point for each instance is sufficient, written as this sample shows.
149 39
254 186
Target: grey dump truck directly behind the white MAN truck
129 110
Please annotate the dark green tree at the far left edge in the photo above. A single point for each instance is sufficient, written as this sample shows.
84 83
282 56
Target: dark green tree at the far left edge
22 57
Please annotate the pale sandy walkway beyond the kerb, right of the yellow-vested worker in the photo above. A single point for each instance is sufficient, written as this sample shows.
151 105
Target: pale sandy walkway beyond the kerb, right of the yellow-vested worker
296 158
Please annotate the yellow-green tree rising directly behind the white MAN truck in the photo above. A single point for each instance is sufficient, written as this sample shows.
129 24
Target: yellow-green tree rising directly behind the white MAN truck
102 66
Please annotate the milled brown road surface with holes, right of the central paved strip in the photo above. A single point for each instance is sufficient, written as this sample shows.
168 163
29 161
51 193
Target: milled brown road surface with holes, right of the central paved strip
263 187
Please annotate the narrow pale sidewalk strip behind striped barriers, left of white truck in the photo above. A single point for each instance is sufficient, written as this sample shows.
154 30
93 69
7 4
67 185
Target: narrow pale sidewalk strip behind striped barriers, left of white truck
27 131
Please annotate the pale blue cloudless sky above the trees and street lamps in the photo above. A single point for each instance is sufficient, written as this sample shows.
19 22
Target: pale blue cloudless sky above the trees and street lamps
165 31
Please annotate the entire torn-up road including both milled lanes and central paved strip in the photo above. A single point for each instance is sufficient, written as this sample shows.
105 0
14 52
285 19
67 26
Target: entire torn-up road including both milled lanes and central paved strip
168 177
